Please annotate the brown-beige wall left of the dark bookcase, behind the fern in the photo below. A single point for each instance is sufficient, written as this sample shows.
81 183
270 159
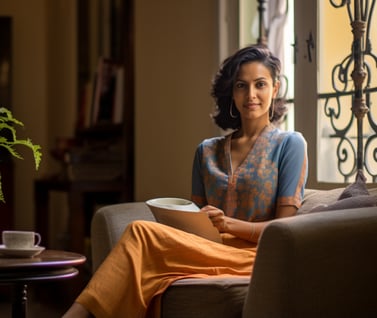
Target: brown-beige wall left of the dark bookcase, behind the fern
43 83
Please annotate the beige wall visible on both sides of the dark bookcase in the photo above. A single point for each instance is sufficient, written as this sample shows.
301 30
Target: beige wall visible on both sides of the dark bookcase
176 55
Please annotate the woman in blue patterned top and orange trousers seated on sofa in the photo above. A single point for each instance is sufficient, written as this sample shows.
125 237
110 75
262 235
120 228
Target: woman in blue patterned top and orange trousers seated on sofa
242 181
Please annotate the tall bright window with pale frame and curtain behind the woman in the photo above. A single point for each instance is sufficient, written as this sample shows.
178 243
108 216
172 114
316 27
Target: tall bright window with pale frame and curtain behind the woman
316 53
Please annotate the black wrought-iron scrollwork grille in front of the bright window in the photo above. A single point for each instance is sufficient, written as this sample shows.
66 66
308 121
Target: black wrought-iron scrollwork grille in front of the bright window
358 67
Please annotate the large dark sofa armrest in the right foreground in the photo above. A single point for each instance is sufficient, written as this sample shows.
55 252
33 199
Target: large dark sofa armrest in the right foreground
316 265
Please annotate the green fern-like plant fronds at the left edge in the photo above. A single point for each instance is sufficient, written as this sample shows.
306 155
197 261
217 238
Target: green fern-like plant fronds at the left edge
10 142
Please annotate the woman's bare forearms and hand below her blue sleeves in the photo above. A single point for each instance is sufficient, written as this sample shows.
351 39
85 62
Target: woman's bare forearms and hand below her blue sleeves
246 230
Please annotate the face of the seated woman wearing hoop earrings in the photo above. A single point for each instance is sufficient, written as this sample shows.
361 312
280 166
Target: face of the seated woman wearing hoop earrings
254 90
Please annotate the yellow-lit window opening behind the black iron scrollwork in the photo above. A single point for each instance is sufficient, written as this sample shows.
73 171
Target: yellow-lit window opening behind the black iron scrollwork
337 126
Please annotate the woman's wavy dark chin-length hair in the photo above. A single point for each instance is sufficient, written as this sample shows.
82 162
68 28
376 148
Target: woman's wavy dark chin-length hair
222 85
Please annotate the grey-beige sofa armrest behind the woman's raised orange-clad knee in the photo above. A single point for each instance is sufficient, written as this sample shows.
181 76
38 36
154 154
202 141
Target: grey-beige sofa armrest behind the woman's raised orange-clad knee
108 224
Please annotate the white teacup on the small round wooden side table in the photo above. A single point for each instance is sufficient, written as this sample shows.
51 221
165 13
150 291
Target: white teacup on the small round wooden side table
21 239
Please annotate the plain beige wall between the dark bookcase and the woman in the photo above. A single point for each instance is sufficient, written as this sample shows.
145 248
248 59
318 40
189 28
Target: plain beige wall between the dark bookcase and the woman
176 57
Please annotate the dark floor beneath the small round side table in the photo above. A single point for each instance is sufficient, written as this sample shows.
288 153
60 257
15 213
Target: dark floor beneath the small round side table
44 299
